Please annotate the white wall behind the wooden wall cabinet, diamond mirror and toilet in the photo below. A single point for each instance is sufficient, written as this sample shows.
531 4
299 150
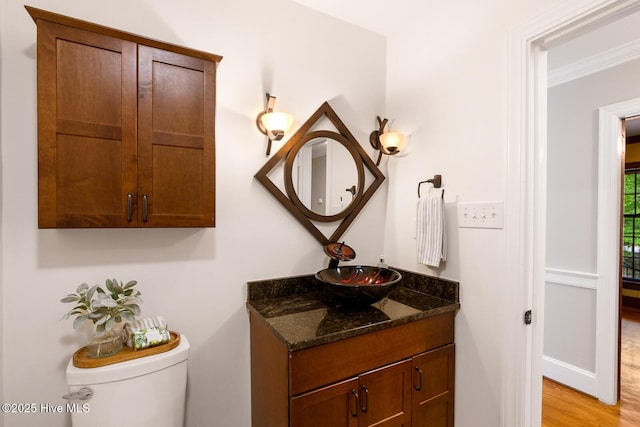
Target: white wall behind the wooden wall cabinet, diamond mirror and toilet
194 277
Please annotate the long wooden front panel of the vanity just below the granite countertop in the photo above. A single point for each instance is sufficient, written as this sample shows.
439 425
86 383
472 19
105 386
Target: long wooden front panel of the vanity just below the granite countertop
318 366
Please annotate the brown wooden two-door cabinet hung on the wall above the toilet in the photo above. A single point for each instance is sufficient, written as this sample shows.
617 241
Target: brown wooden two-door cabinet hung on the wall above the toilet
125 128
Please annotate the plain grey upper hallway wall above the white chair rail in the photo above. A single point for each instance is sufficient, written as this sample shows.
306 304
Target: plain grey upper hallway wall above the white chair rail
573 163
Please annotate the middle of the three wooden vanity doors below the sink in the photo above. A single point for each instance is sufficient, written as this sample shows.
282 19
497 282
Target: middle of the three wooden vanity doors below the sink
385 396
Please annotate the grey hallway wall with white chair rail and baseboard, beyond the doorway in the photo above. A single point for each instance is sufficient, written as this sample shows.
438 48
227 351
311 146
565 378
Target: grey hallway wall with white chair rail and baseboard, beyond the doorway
572 161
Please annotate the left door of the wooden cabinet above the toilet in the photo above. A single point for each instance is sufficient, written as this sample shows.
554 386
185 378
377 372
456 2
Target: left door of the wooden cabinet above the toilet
86 128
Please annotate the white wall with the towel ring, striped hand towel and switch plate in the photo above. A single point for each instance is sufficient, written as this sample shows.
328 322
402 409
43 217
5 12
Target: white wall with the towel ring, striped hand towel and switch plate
448 90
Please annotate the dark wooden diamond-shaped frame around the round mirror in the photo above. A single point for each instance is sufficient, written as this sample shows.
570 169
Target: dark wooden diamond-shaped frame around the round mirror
360 157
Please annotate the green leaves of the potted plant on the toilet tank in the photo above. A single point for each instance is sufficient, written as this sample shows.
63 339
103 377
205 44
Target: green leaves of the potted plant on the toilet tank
104 308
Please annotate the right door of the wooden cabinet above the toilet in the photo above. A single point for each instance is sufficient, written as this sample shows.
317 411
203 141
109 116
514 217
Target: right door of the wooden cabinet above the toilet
176 110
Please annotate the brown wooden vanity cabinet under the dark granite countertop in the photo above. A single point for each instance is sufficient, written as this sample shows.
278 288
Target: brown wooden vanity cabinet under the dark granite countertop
400 376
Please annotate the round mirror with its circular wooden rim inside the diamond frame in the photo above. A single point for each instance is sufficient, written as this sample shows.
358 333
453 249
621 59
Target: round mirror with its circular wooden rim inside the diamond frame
322 176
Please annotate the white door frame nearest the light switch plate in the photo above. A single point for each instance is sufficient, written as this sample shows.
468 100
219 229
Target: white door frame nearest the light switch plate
525 223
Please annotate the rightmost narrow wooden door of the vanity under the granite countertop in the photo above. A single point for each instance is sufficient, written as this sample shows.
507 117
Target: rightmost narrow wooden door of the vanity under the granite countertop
433 383
